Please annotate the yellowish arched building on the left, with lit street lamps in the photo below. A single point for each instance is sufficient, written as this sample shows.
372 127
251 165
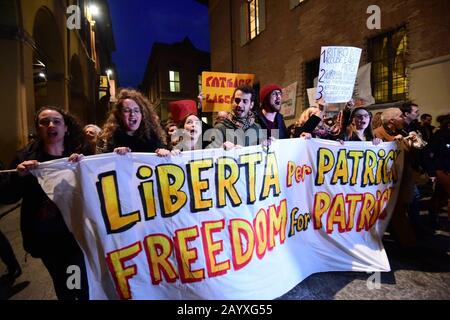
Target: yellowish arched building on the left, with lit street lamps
54 52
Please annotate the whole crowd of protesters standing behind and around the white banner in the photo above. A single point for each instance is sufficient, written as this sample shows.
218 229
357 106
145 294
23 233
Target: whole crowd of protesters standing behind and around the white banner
133 126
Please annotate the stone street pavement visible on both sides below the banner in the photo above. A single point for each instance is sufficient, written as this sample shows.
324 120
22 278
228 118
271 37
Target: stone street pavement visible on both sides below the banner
422 273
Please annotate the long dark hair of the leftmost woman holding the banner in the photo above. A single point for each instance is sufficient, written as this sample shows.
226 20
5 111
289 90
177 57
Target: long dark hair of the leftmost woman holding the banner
74 140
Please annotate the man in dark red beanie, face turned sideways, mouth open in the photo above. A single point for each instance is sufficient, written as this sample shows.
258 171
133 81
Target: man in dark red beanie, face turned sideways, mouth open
269 116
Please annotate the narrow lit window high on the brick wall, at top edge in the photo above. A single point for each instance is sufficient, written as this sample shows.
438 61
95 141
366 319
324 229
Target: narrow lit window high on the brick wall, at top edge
252 19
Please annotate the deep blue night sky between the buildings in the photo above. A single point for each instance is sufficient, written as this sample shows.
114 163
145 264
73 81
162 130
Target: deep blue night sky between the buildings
137 24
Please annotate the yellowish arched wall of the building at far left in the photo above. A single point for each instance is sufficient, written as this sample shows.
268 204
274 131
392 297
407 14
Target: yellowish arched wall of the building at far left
32 29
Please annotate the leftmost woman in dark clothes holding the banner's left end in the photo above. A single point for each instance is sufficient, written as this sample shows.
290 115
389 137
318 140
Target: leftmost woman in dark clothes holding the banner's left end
44 233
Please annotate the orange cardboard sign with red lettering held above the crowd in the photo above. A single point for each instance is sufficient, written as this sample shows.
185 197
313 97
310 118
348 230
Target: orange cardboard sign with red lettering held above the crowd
218 89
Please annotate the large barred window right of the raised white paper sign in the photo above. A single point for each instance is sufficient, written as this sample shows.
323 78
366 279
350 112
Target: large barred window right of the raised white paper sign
387 53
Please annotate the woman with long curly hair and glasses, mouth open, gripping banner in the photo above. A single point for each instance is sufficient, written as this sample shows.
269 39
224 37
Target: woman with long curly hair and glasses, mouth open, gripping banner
132 126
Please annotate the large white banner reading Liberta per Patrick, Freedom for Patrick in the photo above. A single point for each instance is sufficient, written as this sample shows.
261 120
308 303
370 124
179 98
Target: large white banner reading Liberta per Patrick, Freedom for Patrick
249 223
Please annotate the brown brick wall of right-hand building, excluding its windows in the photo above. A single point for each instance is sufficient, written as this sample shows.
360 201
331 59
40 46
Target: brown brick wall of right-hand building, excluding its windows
293 37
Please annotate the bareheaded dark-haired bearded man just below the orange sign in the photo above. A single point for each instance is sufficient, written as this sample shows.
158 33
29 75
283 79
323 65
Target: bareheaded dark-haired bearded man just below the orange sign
240 128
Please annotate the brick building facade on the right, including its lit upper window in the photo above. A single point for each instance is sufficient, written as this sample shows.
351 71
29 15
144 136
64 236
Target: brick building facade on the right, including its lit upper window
280 40
